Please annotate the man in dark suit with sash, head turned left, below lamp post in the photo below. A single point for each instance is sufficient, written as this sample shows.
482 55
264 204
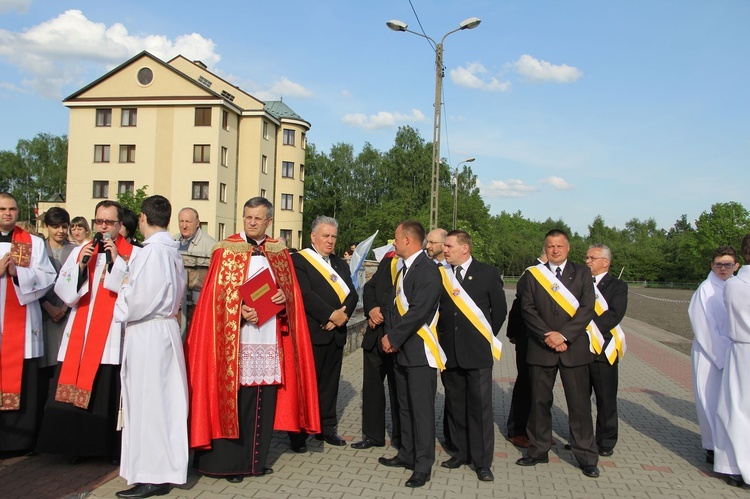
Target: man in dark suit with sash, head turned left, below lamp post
471 314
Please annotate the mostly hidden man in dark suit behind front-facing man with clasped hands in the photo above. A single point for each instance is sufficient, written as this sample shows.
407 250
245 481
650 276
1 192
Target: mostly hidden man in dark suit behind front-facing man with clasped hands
520 402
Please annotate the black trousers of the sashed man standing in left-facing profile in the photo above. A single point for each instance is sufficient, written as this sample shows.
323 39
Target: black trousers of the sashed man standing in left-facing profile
416 387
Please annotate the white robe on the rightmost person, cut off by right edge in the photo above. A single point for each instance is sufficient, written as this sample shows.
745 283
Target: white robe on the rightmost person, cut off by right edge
732 445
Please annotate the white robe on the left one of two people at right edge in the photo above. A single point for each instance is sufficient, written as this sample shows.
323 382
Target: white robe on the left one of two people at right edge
708 316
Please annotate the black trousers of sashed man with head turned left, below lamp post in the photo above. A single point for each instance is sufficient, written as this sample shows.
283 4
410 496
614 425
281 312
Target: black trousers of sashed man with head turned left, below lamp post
472 422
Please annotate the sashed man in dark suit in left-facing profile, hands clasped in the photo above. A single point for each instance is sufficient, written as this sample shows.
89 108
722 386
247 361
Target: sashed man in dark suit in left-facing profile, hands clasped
411 311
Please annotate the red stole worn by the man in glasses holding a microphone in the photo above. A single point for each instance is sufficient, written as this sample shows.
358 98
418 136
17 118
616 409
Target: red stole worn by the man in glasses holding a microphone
84 352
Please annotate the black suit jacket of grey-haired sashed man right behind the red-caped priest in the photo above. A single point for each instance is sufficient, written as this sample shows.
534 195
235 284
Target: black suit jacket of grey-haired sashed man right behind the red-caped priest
321 300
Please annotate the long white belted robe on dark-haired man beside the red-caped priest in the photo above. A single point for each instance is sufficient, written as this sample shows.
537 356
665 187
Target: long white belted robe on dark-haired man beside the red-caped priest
154 380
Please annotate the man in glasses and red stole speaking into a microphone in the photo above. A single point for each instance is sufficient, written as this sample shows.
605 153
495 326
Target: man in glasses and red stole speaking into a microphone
81 415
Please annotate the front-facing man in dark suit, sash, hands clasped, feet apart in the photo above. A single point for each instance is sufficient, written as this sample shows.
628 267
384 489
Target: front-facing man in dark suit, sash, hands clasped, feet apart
557 305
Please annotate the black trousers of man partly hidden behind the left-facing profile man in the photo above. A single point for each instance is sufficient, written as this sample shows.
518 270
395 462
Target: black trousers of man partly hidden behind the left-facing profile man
377 367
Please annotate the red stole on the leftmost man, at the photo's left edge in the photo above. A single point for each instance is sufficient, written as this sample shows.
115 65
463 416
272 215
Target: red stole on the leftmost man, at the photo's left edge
14 328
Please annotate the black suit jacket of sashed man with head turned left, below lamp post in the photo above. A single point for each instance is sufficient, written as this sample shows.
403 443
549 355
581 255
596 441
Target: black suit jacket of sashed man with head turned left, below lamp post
463 344
